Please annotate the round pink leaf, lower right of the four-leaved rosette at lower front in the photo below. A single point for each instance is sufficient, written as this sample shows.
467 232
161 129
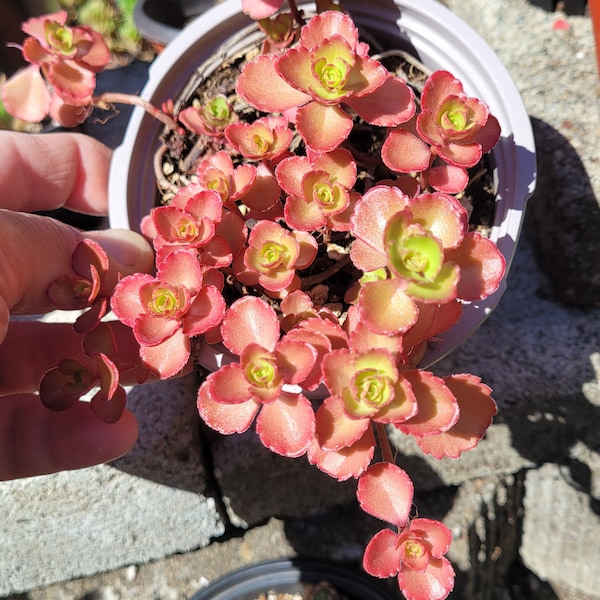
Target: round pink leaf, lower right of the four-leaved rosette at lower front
286 425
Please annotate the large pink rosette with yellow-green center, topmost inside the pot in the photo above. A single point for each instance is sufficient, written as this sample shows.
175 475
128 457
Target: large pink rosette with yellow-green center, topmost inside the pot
328 67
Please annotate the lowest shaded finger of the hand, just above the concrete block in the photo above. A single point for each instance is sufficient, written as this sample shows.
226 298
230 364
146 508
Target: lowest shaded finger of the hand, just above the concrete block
36 441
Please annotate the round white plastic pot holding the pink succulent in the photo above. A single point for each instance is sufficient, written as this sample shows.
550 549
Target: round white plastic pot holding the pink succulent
441 41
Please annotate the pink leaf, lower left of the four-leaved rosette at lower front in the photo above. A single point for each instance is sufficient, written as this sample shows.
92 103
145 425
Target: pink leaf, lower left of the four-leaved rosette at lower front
225 418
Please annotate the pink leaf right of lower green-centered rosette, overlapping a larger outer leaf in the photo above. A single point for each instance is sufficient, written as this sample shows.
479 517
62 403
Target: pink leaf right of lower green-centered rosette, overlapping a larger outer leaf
438 408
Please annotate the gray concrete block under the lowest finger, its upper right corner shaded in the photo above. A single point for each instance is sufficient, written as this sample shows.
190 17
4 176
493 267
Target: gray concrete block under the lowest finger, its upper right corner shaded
152 503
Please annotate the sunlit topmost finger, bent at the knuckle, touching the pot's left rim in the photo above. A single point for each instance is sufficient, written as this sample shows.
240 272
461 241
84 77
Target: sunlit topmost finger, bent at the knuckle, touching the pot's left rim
47 171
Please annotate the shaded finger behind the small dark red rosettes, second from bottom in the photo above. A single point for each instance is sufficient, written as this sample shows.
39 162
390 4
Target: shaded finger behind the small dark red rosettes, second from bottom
31 348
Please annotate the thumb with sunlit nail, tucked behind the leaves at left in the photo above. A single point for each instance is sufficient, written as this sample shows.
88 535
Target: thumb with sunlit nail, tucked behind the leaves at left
36 250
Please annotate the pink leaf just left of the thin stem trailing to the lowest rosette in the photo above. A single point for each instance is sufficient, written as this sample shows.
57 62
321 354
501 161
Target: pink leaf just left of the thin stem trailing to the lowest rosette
346 462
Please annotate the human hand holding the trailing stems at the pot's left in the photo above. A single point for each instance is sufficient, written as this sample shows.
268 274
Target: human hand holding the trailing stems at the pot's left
39 173
